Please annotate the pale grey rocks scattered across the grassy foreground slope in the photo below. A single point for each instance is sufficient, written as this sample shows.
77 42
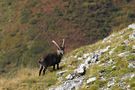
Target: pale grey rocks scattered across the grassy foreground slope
75 79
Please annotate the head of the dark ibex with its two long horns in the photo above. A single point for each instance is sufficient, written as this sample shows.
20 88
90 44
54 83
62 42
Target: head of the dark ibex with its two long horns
60 49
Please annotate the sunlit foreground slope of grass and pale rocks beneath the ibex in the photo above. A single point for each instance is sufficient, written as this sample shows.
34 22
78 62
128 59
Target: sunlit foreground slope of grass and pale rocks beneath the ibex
108 64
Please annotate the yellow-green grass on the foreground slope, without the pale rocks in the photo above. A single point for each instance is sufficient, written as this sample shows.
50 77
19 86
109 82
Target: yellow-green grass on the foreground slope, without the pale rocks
27 79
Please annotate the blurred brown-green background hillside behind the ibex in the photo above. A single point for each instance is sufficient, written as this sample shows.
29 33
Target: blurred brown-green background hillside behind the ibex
28 26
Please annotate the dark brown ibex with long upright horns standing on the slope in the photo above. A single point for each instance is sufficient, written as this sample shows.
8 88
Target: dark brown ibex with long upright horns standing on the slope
52 59
